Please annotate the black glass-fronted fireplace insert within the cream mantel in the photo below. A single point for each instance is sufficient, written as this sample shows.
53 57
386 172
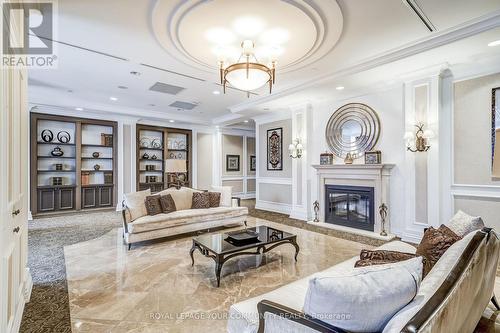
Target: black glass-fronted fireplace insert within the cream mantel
350 206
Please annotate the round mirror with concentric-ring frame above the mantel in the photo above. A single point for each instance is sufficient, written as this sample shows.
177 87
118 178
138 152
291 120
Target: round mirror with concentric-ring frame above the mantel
353 128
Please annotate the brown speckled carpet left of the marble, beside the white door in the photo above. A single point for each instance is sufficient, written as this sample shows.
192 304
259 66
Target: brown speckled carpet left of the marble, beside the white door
48 309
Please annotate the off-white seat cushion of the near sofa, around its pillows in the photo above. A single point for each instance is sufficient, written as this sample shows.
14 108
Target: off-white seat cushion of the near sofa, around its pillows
243 316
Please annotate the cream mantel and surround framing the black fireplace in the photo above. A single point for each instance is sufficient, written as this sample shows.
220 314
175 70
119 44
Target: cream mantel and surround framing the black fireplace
368 175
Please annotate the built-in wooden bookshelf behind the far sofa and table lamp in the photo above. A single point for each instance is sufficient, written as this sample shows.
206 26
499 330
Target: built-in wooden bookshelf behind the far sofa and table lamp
156 145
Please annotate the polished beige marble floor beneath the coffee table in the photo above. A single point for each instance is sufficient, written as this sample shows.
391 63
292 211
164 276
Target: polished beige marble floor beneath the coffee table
153 288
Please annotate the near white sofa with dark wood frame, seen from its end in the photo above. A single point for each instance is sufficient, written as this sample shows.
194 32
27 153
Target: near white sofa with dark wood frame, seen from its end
451 298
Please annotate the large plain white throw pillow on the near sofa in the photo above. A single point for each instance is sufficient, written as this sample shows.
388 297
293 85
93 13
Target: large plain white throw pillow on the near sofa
364 299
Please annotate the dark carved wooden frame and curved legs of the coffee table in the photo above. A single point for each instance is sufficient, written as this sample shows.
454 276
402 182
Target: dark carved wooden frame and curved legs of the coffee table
220 259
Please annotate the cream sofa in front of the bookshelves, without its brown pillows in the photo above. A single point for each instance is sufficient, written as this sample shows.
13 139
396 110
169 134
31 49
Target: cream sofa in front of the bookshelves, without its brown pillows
184 220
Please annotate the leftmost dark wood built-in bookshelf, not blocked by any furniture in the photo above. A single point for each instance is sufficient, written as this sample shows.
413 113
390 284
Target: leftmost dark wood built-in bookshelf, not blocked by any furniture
74 167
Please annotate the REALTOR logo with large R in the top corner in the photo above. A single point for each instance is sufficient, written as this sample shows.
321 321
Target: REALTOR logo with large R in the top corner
28 34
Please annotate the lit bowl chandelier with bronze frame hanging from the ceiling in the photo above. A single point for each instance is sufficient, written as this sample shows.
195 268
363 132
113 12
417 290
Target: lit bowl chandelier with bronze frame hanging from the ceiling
247 73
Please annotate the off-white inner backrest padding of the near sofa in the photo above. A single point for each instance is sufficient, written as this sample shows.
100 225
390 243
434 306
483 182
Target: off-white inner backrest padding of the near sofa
429 285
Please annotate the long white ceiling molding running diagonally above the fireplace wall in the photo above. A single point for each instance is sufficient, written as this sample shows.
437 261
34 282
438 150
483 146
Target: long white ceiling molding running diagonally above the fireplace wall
464 30
